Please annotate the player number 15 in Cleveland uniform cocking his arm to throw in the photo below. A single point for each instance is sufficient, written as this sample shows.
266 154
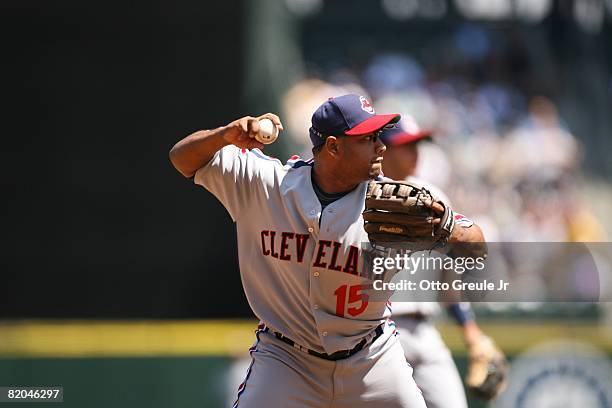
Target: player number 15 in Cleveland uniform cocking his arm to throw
300 233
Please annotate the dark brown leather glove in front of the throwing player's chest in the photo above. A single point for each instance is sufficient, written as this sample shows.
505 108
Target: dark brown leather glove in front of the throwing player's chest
402 212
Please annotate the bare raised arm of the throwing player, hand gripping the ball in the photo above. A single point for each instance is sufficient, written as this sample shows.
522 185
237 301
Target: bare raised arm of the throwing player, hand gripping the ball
197 149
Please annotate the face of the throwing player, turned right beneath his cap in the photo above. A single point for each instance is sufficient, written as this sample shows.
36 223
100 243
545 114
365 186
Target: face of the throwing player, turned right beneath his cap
363 156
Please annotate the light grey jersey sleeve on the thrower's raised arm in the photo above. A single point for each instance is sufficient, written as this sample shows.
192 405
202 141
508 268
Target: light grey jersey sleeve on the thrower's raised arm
234 176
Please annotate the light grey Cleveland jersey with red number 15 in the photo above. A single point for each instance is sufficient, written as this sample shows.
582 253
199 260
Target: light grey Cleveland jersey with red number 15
302 269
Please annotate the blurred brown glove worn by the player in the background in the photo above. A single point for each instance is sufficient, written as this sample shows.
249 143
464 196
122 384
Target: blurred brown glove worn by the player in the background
487 370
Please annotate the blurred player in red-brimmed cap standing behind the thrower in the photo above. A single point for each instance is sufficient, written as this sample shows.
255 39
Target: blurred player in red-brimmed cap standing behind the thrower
434 369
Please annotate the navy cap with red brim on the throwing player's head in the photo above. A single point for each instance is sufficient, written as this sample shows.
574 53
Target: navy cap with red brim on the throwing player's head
349 115
